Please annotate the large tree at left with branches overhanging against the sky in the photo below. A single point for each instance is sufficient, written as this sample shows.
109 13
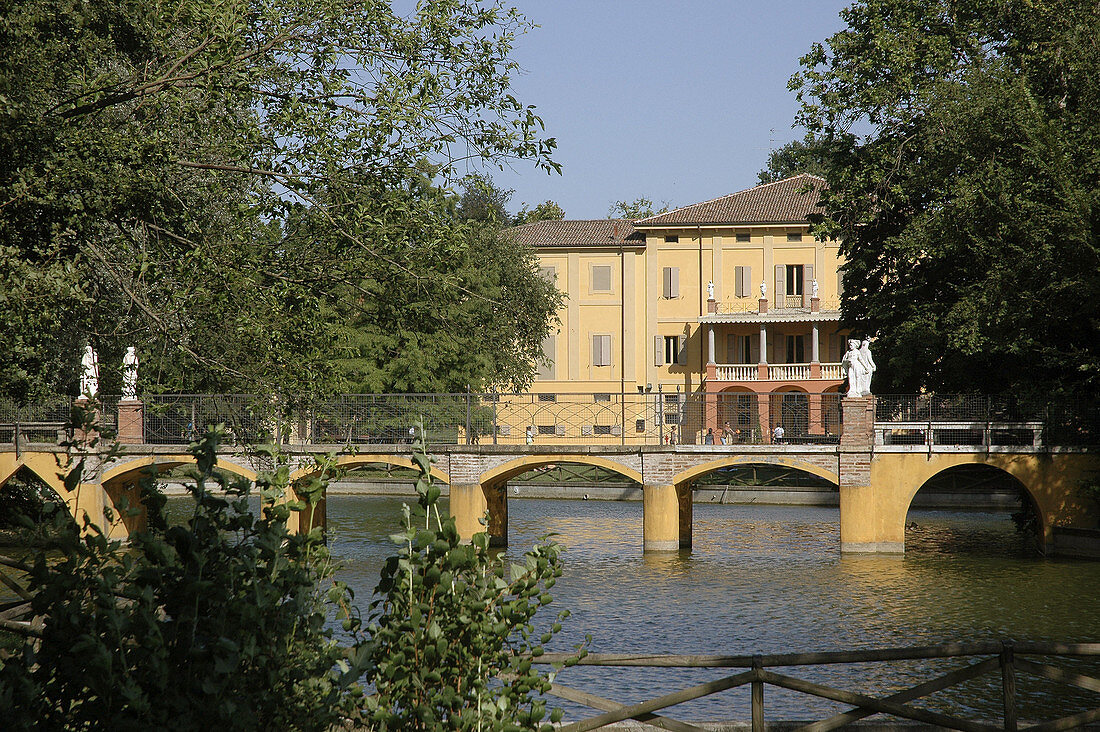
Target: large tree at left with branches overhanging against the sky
146 146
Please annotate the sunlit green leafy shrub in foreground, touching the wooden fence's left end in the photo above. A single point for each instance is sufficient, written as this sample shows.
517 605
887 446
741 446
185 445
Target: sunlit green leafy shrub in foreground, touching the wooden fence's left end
452 618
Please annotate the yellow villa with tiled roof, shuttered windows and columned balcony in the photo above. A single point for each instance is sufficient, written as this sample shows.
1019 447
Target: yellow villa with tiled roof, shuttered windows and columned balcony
723 316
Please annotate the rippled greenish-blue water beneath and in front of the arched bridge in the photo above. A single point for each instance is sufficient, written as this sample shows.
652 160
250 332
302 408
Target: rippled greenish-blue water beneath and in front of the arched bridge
772 580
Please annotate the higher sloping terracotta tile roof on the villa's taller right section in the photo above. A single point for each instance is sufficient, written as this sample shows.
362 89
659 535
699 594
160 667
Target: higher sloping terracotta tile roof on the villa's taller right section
772 203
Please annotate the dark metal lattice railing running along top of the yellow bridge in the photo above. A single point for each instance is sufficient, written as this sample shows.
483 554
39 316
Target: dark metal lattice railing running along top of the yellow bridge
565 419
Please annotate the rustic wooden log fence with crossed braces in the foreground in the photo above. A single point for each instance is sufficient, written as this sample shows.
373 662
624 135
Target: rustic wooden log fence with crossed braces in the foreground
983 659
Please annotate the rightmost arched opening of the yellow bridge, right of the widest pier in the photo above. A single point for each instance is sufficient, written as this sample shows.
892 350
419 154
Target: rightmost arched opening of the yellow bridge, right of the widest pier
973 509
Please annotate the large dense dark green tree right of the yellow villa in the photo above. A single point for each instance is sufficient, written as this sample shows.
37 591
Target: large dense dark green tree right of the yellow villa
965 188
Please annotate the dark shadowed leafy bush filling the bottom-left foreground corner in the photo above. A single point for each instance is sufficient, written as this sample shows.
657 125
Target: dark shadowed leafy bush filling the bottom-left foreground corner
216 625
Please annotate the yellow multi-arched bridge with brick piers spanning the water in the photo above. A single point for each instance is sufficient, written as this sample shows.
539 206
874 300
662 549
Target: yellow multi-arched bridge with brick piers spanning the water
876 483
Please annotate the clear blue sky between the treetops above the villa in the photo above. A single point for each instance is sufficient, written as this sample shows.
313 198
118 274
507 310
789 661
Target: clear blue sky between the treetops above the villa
677 102
